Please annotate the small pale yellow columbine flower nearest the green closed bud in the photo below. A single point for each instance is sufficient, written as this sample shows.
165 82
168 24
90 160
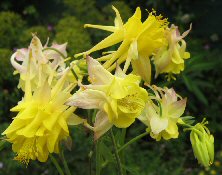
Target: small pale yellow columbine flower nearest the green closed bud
162 113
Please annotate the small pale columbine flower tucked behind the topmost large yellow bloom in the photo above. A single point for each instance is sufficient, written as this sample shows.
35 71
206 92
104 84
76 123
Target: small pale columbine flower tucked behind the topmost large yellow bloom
170 58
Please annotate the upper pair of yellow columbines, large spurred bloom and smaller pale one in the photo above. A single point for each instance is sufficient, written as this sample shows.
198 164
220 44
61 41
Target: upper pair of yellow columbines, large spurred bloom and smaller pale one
141 42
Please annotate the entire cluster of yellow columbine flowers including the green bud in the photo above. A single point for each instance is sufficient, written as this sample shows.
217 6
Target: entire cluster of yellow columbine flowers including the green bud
48 81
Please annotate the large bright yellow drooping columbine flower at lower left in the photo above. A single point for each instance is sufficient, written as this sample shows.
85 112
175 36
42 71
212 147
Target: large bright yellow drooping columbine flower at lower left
41 122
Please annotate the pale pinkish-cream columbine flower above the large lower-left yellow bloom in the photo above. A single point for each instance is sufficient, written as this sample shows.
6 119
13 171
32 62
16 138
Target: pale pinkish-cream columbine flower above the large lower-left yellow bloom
40 63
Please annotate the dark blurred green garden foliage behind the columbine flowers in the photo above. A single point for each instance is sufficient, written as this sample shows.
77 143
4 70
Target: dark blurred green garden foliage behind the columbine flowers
63 20
